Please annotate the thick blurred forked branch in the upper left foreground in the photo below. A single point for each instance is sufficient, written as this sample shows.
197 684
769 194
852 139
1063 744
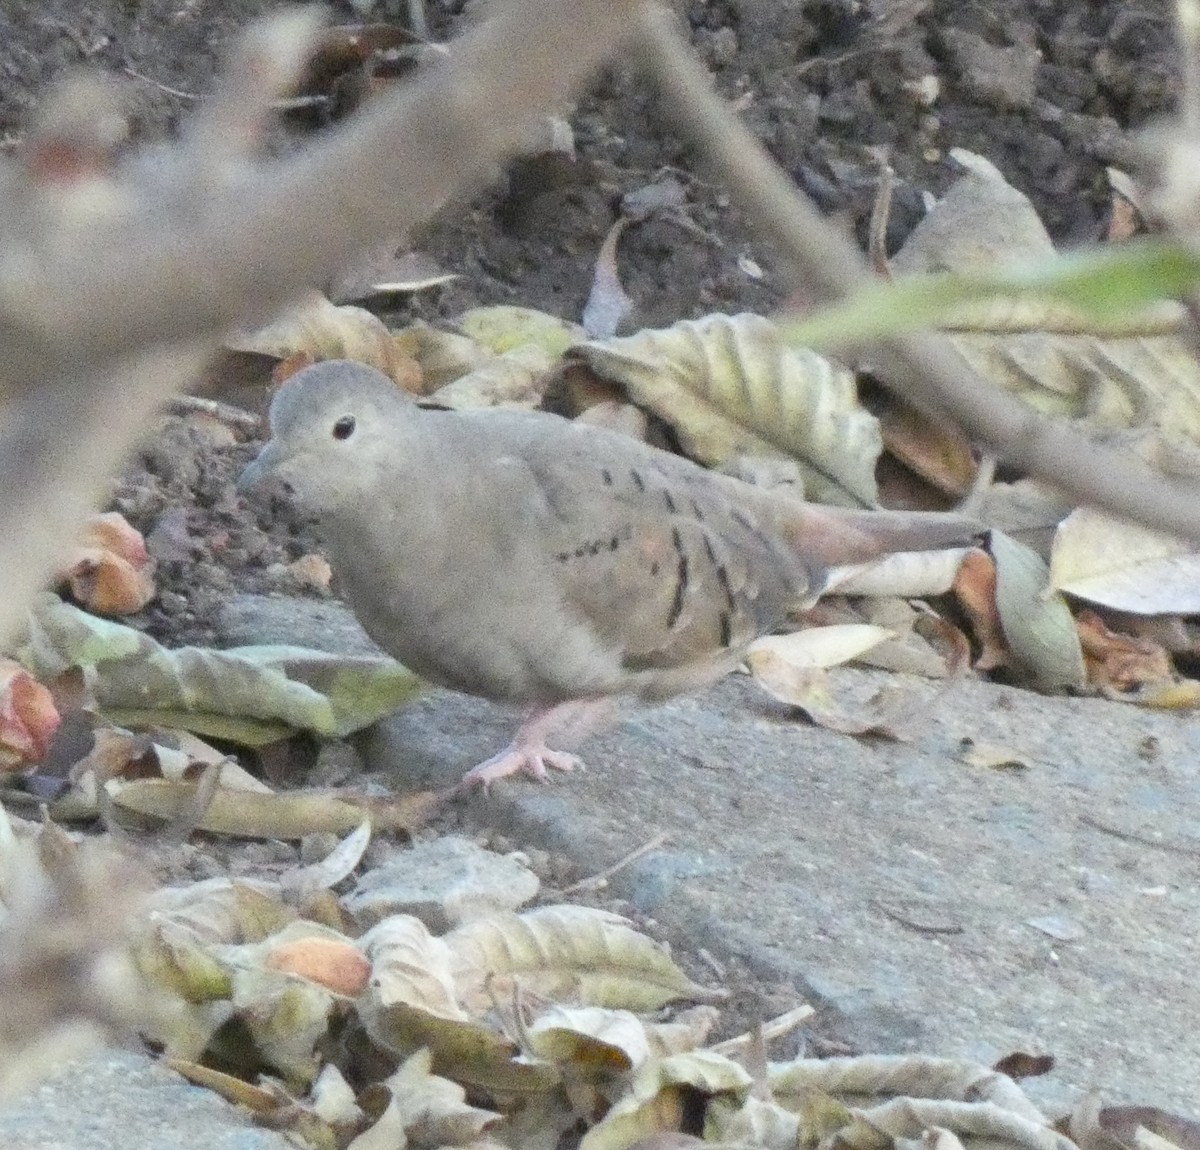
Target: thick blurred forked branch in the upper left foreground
115 287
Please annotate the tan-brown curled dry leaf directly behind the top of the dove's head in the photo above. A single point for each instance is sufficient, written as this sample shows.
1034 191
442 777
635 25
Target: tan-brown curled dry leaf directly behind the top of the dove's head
326 332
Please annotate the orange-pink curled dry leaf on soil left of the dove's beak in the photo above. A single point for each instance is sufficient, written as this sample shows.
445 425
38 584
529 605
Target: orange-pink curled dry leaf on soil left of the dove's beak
111 571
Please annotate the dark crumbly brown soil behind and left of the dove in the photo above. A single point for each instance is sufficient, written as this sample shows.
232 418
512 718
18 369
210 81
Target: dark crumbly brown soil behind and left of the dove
1051 93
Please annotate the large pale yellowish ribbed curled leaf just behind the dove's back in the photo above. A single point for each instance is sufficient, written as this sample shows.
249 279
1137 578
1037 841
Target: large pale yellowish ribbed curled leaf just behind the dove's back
729 386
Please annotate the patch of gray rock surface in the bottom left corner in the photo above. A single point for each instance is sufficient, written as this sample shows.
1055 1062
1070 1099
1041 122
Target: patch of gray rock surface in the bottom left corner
117 1100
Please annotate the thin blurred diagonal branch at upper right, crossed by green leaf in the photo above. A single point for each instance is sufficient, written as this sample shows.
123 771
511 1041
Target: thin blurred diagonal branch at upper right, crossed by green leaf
925 369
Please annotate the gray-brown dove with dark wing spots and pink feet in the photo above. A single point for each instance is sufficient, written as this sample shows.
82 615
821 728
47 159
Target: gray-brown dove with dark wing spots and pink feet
529 560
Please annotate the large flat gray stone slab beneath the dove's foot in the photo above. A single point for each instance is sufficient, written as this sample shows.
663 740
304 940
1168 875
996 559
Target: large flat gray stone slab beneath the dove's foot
893 882
